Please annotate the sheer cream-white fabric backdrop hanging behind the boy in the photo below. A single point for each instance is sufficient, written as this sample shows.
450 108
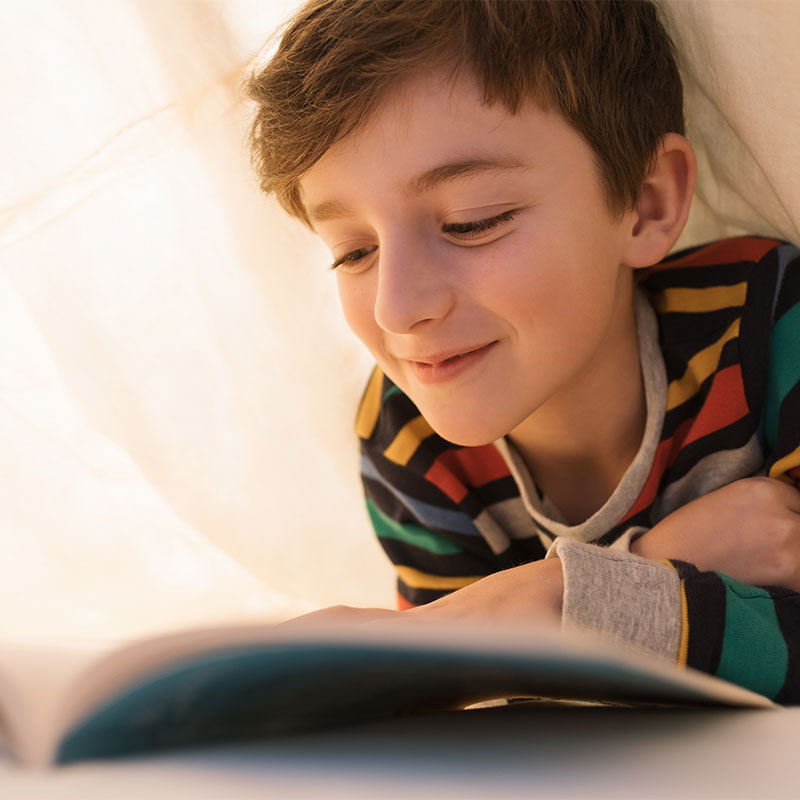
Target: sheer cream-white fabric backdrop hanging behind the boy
177 386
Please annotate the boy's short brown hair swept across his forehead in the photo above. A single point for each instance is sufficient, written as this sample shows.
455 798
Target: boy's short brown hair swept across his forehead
607 66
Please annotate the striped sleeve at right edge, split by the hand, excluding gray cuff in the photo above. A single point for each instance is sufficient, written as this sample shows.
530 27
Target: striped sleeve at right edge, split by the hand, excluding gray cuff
751 634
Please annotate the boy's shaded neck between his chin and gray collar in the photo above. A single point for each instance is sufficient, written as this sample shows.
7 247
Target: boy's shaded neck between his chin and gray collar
577 452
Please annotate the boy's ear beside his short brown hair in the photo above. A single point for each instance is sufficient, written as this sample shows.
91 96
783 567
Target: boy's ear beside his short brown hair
664 202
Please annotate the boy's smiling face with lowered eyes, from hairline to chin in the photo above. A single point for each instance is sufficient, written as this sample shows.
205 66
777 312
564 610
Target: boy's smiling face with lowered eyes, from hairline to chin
479 262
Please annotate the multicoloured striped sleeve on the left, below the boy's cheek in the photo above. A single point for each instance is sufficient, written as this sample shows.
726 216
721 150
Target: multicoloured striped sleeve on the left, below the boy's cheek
435 546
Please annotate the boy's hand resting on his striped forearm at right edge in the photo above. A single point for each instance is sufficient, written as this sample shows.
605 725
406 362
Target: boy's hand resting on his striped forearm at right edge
749 529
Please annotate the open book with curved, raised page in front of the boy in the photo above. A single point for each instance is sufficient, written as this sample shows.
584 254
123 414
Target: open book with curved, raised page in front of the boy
233 683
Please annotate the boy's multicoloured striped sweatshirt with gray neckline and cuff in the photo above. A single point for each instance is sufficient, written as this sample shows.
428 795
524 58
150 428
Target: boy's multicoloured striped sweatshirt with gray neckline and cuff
719 337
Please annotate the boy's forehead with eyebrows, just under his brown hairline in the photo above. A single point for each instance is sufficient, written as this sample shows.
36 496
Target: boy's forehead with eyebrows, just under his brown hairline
428 131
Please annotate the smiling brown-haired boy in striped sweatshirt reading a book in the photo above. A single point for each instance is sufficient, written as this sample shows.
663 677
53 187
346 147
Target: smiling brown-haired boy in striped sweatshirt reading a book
557 428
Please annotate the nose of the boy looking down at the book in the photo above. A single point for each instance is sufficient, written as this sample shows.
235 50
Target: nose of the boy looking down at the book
414 287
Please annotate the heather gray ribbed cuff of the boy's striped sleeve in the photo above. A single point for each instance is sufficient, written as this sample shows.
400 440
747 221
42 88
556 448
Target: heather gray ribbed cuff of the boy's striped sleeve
621 596
